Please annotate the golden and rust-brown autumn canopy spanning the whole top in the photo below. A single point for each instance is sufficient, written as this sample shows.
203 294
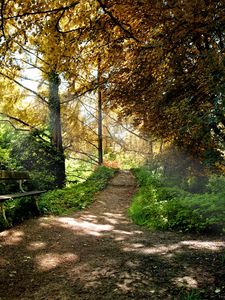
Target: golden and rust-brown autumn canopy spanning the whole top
162 63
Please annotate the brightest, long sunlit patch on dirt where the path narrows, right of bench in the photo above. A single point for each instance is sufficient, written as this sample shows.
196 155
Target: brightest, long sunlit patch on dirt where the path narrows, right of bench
84 226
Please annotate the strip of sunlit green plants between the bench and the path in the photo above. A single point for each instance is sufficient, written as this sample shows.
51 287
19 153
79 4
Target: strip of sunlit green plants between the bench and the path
76 196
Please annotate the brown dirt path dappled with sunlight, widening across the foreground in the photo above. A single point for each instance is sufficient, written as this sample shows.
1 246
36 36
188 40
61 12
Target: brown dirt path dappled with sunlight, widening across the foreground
99 254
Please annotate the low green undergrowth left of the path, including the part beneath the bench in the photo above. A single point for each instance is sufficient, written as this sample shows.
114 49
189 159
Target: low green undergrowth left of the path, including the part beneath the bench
60 201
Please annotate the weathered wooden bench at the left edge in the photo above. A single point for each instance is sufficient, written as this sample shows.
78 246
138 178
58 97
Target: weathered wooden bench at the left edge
20 177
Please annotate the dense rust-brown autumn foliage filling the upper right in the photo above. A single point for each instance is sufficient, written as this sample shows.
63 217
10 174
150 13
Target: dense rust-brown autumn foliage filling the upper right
170 76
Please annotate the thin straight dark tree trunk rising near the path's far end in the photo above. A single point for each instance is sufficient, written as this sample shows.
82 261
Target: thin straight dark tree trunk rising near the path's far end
100 148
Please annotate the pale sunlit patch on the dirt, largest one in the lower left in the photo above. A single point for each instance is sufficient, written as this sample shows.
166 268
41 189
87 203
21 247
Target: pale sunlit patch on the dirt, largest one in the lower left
48 261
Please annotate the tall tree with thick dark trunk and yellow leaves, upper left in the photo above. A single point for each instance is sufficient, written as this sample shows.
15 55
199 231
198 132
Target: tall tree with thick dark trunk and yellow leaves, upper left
50 31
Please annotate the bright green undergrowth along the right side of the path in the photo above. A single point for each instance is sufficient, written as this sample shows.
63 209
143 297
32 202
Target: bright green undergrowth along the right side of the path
158 205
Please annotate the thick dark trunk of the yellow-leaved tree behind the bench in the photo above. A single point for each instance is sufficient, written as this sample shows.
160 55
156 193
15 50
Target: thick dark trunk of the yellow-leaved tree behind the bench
56 129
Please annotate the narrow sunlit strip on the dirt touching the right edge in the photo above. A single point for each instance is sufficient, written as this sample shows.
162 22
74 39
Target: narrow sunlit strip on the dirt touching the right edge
206 245
